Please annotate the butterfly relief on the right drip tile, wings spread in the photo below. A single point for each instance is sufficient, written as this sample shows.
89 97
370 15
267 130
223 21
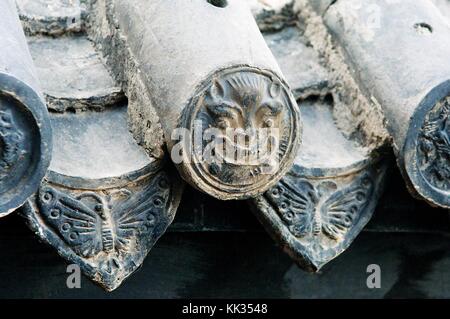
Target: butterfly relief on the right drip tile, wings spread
309 211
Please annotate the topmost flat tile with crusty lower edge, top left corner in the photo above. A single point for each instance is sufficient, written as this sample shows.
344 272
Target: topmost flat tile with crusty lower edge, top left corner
52 17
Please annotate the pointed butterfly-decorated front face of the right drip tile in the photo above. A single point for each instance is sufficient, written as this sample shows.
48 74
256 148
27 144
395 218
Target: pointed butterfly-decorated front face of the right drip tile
316 218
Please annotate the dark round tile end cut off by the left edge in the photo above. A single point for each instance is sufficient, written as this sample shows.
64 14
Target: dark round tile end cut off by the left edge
25 142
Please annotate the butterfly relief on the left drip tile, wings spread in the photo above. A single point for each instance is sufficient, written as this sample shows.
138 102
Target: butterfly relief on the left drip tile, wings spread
89 224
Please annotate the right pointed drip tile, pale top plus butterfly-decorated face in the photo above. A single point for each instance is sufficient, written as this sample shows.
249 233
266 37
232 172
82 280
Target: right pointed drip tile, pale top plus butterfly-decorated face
317 210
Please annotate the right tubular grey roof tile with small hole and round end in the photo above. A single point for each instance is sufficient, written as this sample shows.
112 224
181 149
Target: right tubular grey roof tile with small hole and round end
401 64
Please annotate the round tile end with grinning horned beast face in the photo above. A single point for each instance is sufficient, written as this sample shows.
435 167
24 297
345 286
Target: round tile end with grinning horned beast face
244 132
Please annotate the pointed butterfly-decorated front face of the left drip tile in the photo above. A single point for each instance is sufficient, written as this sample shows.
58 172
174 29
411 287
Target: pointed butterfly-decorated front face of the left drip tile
107 232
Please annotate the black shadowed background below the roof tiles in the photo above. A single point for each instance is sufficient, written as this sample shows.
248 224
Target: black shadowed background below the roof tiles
218 250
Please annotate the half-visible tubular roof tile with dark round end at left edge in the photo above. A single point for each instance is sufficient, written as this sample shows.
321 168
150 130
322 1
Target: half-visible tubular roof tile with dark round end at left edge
25 132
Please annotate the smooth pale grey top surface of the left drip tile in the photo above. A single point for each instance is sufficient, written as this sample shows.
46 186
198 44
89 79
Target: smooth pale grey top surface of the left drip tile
102 137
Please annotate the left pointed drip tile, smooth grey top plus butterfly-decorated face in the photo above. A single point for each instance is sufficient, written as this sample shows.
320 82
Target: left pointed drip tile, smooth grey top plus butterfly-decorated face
104 203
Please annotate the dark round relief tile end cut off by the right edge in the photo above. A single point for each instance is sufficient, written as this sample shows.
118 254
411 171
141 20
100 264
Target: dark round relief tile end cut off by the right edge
426 154
